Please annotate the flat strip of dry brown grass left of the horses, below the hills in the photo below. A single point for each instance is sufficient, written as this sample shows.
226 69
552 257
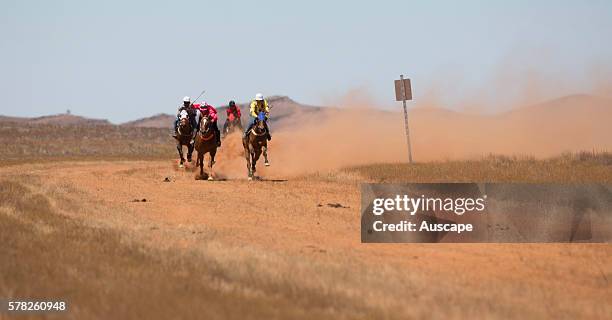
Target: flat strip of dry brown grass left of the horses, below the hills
21 143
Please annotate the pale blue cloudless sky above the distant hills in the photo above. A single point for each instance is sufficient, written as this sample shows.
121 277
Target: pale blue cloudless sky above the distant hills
122 60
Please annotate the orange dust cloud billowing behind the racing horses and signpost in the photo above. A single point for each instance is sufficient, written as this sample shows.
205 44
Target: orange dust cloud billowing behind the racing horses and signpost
361 133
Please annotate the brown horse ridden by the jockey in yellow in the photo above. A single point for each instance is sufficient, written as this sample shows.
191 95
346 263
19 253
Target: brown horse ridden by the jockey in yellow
256 143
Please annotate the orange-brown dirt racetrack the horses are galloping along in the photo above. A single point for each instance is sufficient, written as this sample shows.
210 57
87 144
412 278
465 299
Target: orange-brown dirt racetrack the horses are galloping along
286 227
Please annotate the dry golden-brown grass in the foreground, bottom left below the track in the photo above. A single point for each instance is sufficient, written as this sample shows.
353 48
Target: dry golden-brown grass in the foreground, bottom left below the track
100 271
